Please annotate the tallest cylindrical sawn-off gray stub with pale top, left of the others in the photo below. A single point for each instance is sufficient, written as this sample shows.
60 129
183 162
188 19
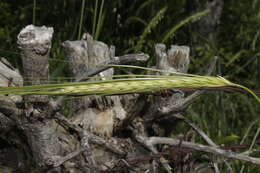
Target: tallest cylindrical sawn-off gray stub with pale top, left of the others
36 121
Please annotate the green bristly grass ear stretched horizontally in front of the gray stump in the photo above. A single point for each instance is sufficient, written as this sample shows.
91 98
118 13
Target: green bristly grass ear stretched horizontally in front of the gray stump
123 86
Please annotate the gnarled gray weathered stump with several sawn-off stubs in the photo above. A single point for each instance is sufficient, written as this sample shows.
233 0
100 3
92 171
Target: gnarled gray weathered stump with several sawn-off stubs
102 133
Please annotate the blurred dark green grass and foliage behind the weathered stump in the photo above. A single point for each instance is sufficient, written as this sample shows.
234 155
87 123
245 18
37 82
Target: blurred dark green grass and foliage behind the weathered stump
136 25
